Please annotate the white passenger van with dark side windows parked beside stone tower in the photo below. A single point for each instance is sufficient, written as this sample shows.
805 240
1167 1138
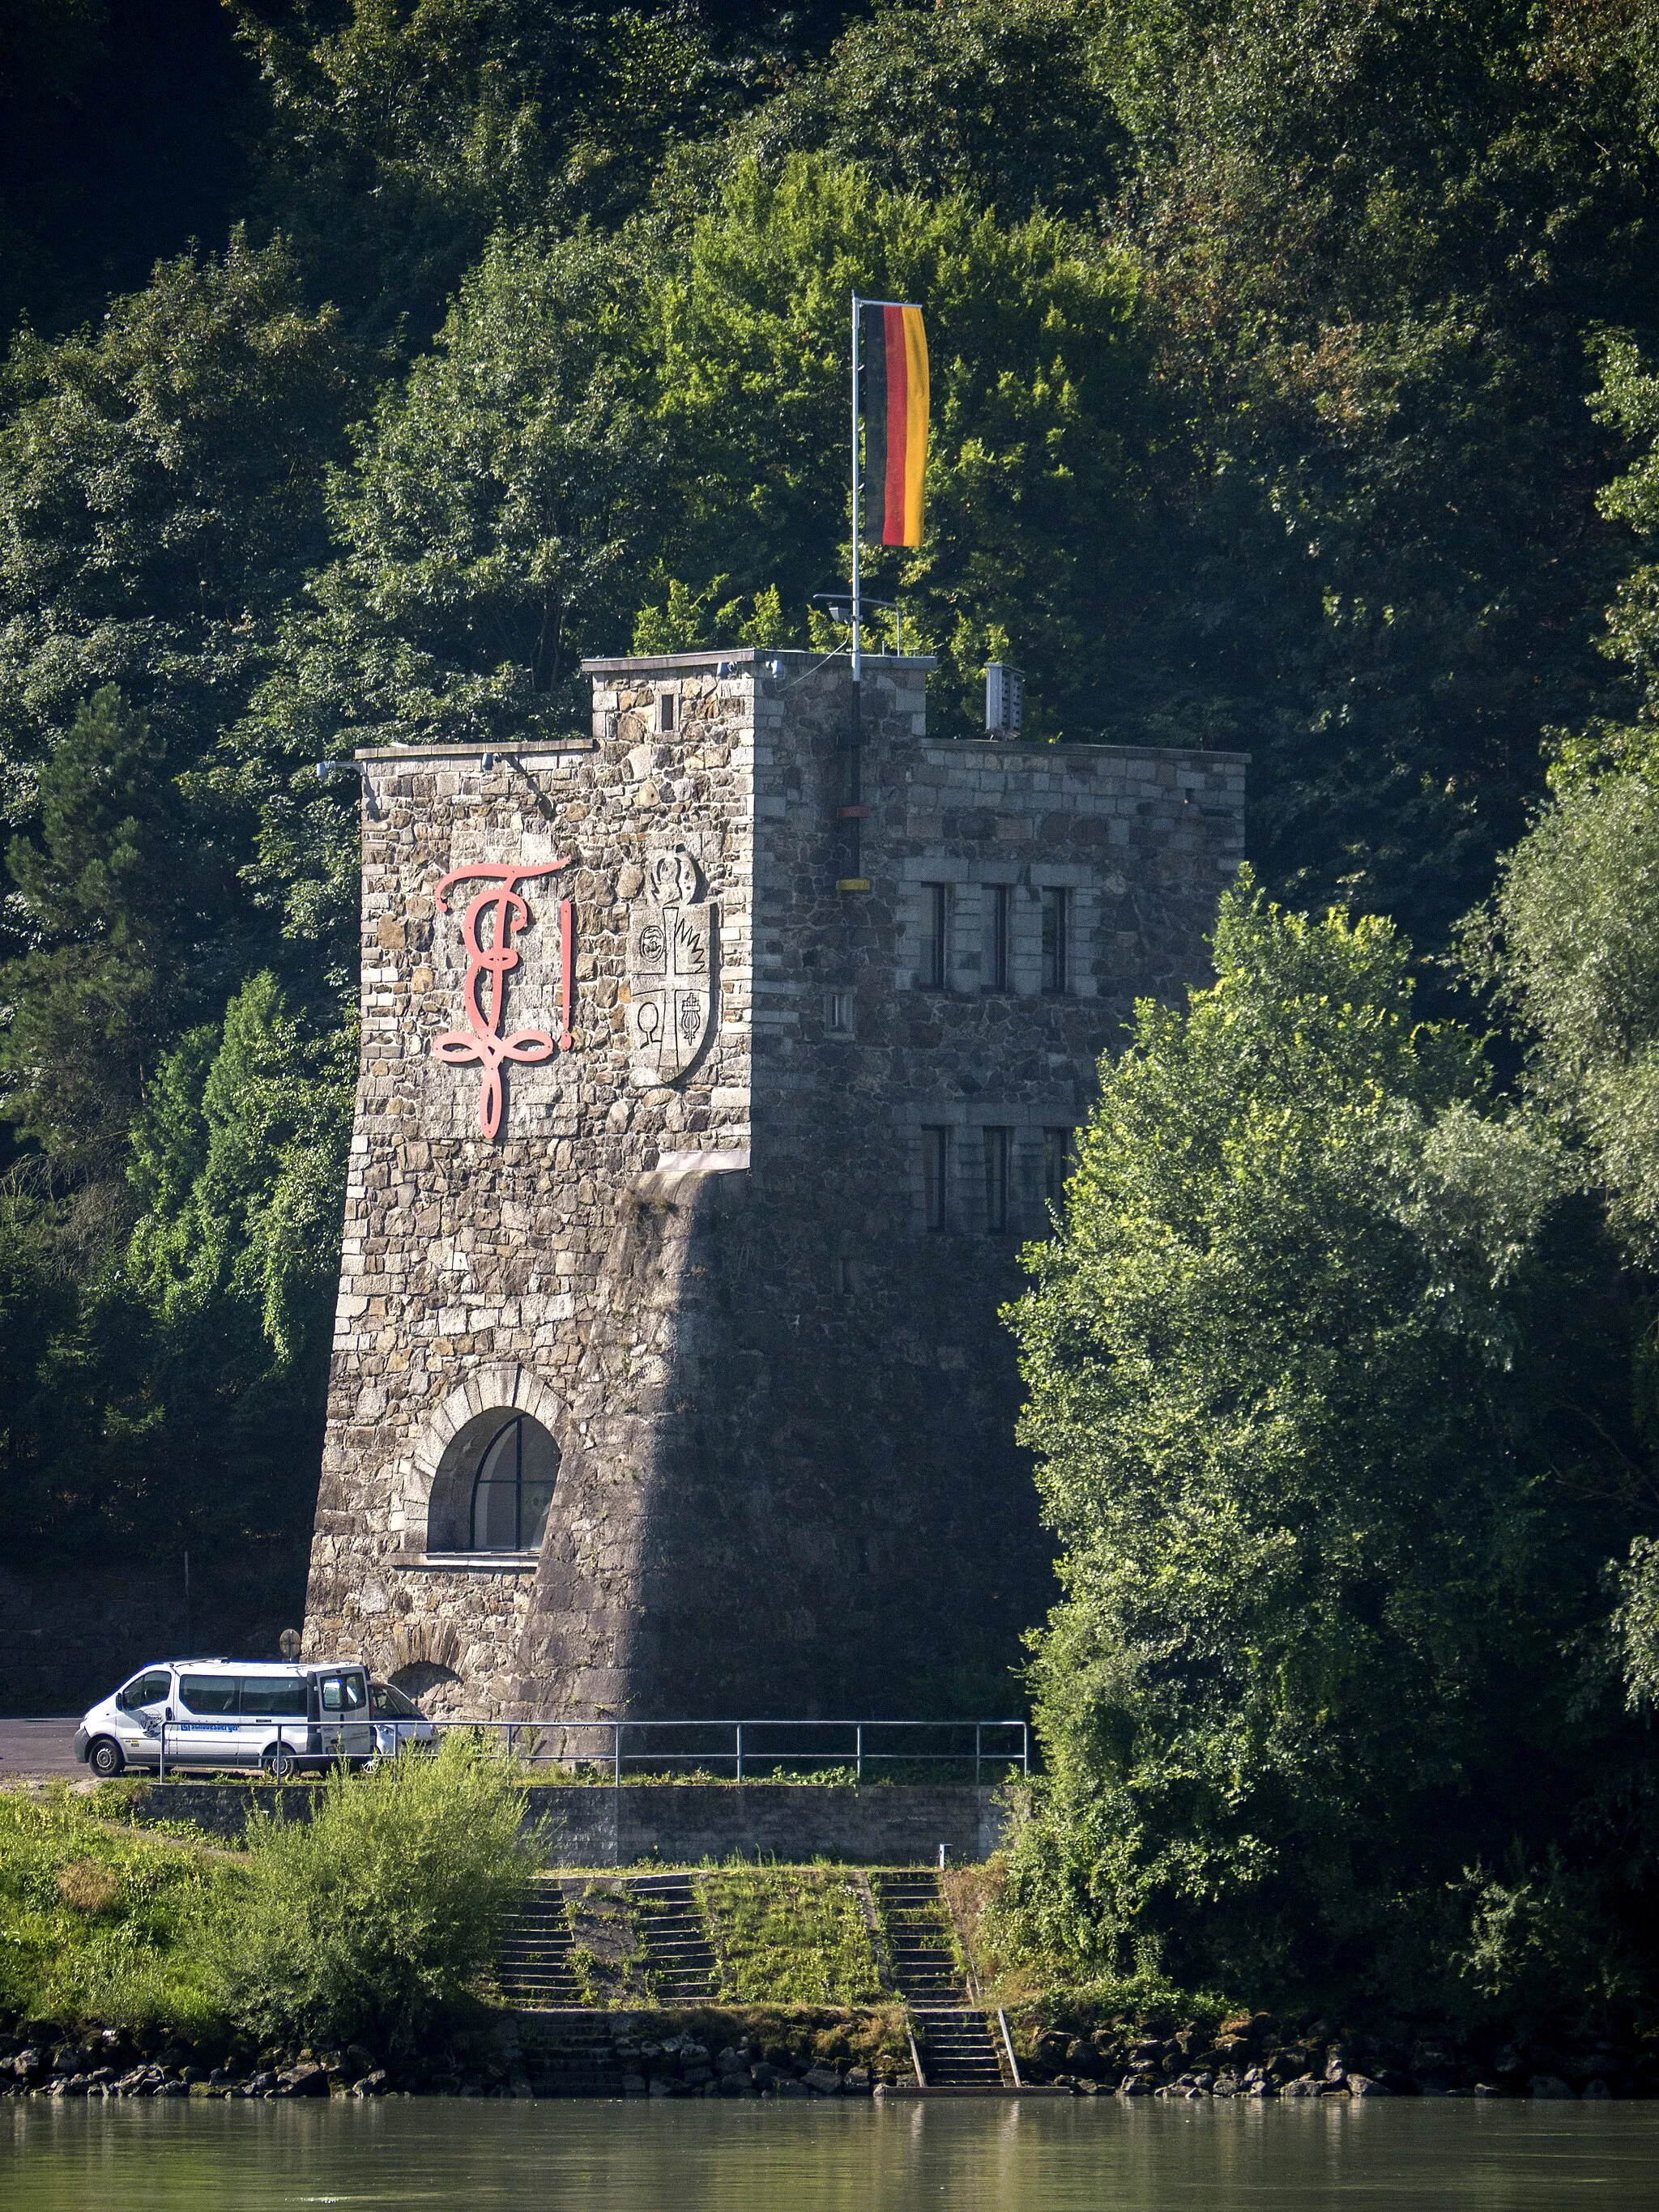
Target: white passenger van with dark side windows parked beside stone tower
231 1713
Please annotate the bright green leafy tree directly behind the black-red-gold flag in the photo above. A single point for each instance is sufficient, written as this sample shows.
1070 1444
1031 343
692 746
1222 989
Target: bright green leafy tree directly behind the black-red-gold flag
1041 428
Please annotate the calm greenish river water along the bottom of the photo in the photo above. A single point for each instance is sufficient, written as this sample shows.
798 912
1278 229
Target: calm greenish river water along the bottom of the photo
985 2156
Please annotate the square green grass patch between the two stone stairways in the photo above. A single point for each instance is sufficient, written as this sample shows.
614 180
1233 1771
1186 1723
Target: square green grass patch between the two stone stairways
791 1937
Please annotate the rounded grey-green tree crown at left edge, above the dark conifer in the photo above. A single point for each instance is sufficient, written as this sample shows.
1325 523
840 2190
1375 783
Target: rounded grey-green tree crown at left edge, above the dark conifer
163 497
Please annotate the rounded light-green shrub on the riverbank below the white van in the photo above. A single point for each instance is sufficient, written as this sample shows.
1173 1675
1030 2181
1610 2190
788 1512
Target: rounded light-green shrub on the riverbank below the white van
384 1908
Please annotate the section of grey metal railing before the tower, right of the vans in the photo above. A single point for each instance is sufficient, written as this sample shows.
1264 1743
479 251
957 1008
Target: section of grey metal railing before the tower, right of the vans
749 1749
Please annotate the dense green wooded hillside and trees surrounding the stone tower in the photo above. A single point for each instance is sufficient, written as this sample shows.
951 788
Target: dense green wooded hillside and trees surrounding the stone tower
1297 390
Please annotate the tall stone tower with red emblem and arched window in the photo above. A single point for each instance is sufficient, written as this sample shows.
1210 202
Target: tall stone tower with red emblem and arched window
687 1185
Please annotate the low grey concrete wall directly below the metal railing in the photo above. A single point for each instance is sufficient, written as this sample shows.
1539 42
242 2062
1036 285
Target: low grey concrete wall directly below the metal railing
674 1824
